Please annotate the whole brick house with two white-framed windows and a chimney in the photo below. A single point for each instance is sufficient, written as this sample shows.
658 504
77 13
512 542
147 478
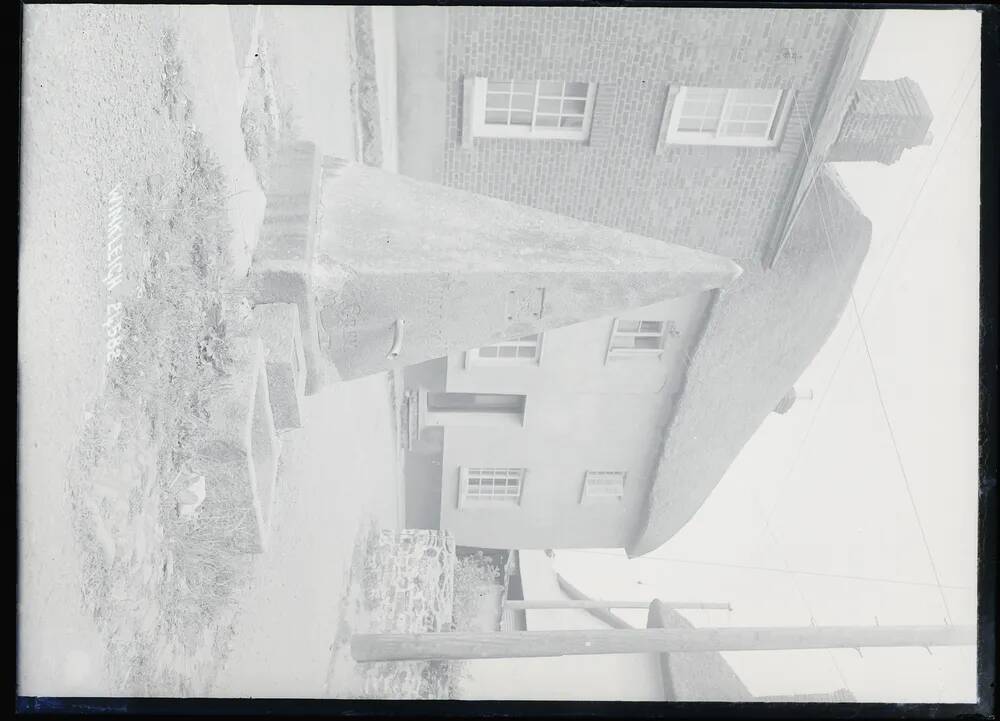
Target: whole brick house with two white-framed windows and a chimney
646 137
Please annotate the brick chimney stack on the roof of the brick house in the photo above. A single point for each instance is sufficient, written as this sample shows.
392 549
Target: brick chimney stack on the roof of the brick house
885 117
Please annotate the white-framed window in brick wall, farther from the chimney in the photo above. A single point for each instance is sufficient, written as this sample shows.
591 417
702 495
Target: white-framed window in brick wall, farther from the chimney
538 109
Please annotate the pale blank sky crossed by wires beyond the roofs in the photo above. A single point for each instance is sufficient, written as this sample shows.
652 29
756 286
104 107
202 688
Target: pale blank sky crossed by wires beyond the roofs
820 490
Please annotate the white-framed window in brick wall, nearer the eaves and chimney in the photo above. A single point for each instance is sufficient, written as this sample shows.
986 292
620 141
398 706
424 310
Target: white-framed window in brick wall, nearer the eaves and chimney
728 116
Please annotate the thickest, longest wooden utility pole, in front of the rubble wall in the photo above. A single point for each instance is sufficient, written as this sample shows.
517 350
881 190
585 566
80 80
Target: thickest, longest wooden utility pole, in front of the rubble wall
518 644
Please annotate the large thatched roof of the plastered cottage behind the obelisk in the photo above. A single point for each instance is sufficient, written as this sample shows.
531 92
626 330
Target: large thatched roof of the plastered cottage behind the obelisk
764 332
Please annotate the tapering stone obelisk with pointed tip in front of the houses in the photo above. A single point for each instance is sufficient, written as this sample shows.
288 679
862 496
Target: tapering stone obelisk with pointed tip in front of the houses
401 271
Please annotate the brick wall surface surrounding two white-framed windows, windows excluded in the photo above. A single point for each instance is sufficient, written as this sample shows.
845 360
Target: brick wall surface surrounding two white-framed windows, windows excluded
723 199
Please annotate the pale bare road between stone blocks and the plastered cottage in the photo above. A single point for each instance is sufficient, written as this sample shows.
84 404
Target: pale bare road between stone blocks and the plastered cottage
337 475
